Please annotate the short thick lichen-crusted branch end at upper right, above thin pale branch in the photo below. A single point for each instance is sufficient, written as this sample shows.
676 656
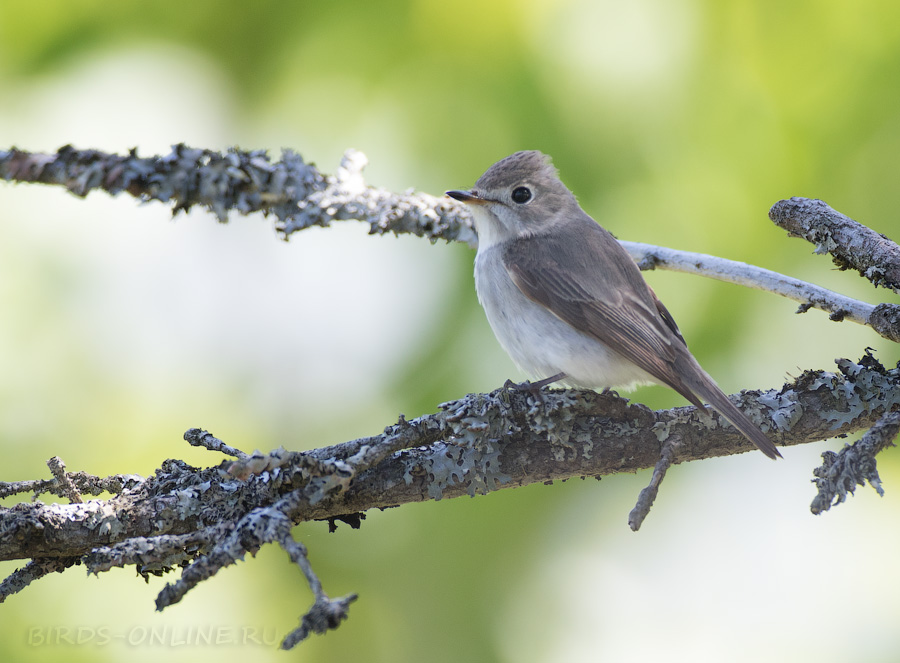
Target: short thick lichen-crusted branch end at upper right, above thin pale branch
851 244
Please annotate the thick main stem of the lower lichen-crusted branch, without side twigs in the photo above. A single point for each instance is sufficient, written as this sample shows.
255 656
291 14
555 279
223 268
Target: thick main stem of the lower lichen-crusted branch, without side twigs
477 444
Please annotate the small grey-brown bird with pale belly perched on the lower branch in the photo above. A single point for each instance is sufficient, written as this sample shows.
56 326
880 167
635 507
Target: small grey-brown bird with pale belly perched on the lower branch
565 299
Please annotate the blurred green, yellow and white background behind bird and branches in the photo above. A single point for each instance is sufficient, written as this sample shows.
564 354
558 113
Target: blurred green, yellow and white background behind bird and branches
676 122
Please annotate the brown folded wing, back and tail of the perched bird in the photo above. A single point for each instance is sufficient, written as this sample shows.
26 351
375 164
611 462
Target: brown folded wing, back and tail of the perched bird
585 278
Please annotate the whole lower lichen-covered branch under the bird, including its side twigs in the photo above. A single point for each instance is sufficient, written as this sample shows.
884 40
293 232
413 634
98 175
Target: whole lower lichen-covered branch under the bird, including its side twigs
203 520
